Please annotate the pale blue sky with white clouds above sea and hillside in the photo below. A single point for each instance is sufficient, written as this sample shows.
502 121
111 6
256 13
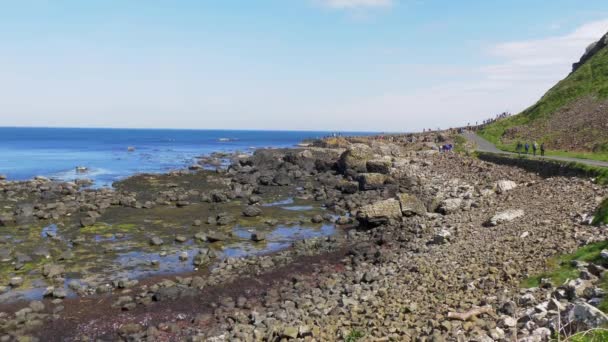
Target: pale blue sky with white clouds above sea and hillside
337 65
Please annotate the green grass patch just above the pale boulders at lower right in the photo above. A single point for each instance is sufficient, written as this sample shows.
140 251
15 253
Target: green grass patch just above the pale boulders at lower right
560 269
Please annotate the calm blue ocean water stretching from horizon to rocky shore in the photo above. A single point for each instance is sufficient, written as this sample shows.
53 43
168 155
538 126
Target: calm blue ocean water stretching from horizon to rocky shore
56 152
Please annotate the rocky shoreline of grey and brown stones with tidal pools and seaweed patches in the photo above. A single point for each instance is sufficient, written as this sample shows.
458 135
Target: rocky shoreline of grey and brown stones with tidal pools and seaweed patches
424 247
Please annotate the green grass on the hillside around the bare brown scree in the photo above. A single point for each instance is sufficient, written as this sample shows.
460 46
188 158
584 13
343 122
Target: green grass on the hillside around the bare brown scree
590 80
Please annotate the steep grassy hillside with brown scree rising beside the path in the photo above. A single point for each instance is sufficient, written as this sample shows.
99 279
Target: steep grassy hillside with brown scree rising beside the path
572 116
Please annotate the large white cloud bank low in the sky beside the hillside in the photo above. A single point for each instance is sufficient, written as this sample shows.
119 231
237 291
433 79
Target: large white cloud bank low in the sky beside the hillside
523 71
